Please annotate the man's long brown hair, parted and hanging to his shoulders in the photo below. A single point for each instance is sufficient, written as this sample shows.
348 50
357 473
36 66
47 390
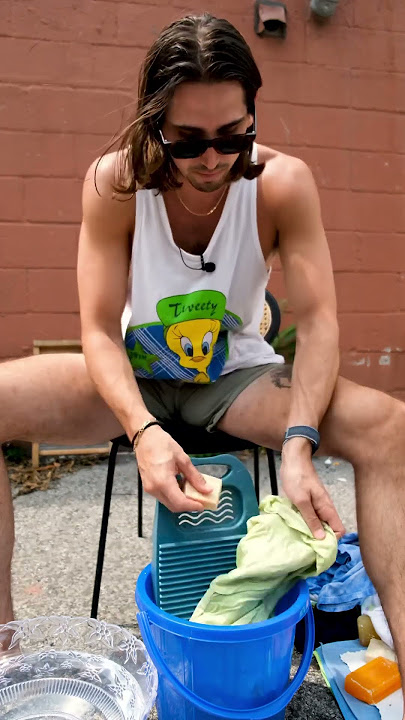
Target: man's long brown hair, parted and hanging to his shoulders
198 48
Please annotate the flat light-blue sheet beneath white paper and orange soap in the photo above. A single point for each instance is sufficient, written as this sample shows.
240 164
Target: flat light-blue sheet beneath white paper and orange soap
335 670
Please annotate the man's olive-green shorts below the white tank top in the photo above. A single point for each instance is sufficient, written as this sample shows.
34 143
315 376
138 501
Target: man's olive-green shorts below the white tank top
195 403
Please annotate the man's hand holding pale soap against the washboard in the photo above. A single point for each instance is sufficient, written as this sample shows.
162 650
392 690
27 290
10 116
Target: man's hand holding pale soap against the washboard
160 459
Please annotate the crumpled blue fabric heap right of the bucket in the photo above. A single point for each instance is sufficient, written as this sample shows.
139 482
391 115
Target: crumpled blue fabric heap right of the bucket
346 583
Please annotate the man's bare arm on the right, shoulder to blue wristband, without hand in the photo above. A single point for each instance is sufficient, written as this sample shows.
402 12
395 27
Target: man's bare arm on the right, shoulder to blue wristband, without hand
305 258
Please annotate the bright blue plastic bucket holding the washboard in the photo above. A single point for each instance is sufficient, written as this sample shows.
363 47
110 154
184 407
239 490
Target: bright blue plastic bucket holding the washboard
239 672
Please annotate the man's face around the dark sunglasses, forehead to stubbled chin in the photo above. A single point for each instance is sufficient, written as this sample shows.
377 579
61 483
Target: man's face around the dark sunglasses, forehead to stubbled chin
205 111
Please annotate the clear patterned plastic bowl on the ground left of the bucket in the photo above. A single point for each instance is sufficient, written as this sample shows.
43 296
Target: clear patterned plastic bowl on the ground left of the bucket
62 668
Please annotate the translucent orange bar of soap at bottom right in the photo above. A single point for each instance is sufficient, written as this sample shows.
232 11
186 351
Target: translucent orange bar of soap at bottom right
374 681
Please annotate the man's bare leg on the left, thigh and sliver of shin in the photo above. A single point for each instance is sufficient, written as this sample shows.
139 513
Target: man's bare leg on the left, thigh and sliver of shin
47 398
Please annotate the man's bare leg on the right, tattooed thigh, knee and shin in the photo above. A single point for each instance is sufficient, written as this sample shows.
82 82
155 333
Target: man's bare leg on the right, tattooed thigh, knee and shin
367 428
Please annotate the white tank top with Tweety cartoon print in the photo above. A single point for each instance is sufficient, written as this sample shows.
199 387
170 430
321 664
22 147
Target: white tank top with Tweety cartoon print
187 324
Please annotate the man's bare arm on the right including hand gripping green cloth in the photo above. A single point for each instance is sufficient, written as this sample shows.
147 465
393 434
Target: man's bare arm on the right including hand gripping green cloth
306 263
